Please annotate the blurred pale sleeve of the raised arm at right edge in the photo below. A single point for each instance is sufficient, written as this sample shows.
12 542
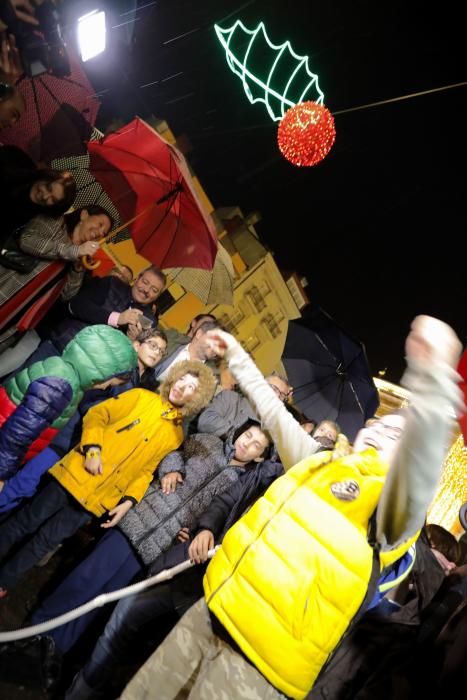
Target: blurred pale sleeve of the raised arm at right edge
417 463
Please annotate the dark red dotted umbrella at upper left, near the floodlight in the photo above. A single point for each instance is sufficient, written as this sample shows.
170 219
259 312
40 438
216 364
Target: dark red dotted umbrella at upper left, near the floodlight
59 116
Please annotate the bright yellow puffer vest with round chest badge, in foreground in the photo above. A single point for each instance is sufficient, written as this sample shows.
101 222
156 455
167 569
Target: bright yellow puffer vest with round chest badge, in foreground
293 572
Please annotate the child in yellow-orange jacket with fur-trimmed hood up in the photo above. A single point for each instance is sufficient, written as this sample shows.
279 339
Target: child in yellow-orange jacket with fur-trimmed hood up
122 443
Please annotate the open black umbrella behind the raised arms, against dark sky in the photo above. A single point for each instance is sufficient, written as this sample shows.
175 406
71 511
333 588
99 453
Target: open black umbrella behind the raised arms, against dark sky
329 372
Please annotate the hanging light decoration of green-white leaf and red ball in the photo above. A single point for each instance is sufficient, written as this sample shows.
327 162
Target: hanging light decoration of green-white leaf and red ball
282 80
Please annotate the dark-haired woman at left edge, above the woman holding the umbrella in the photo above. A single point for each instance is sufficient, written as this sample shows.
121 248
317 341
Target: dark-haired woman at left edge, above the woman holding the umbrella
26 191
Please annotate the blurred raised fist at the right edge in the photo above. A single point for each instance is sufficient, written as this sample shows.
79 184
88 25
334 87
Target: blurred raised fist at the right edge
432 341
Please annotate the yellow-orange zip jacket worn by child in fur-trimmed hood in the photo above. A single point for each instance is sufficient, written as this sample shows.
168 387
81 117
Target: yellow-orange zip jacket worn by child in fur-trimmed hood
135 430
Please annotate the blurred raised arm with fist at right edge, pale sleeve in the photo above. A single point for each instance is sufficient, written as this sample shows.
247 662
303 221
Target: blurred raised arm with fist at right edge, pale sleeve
432 350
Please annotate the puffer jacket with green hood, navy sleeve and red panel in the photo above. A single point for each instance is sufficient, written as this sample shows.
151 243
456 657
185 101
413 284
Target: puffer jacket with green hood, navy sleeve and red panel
41 398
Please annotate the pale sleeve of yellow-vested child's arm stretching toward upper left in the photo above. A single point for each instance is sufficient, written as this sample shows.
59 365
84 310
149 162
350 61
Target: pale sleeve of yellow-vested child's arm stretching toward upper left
292 442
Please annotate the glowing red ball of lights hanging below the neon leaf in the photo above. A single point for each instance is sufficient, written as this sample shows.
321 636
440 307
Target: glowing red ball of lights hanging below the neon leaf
306 133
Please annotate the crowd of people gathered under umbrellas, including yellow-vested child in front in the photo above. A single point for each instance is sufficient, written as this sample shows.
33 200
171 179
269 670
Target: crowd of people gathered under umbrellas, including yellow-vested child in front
164 446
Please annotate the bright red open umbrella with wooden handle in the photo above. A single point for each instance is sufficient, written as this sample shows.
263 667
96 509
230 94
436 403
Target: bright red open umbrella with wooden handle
148 178
